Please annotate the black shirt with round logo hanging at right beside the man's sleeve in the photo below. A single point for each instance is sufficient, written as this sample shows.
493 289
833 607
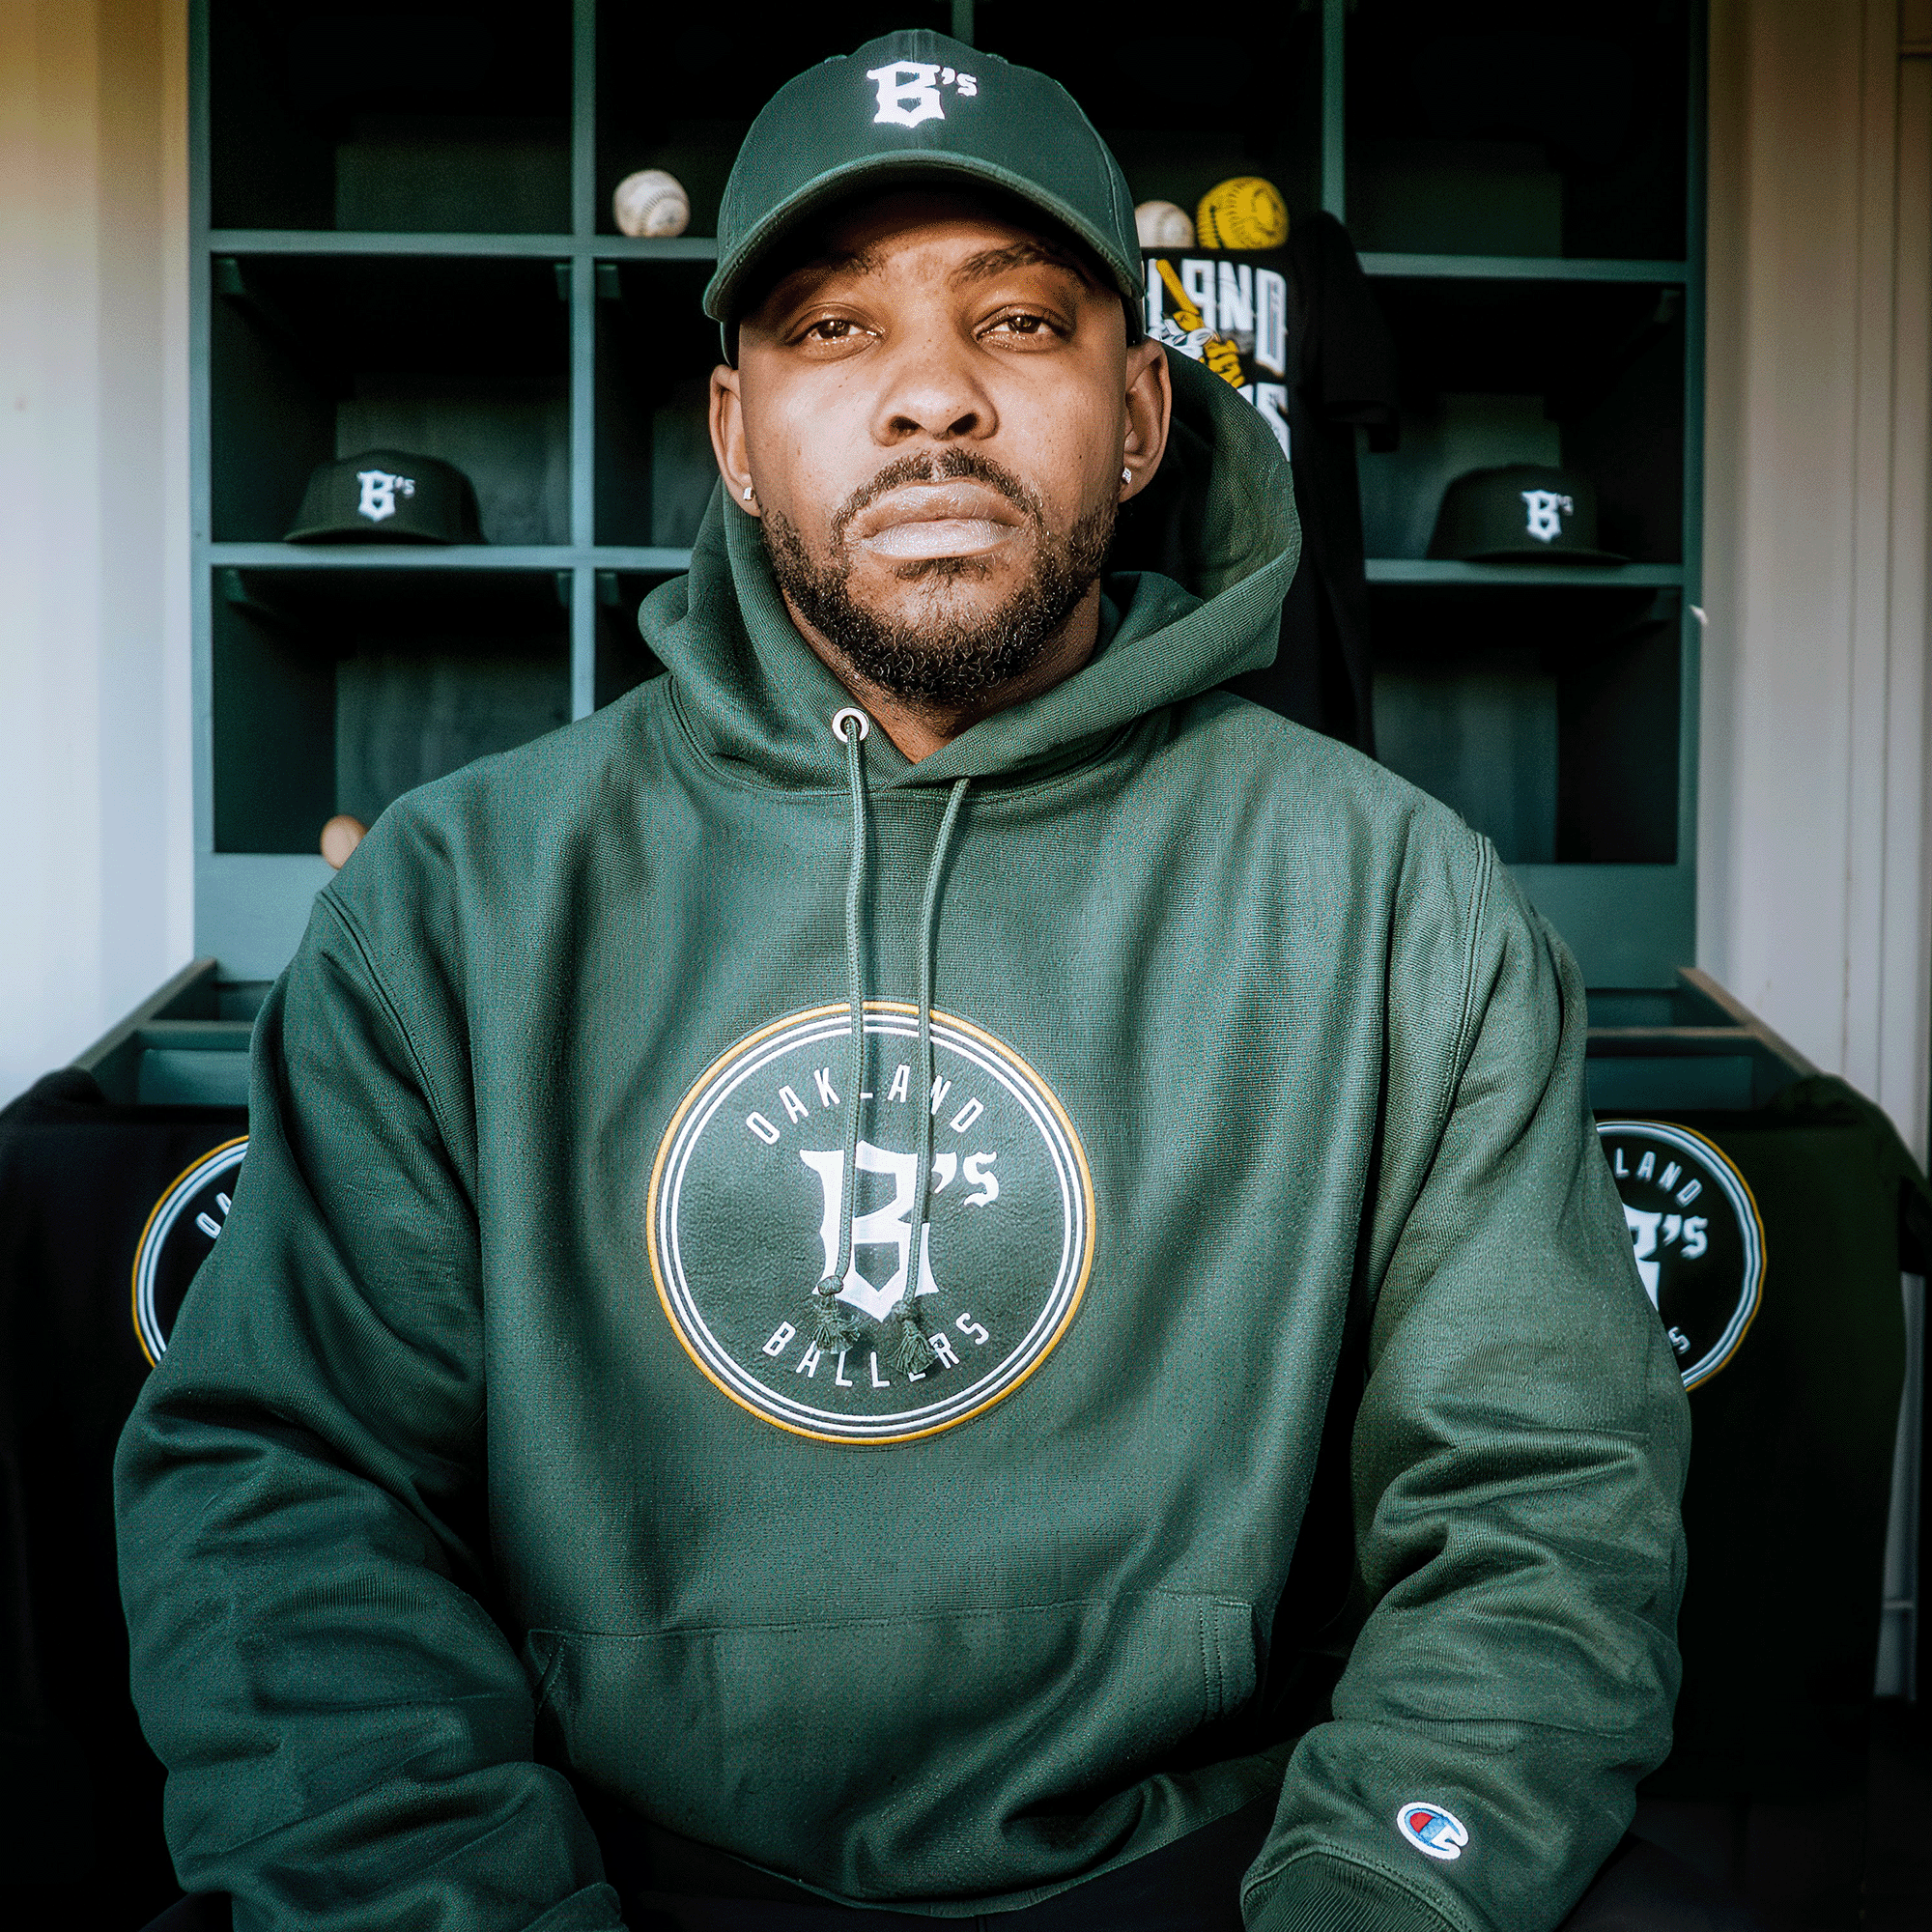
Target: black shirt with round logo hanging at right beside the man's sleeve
1771 1243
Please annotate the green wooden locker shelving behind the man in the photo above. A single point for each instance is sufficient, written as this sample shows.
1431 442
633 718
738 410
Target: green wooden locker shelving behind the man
563 366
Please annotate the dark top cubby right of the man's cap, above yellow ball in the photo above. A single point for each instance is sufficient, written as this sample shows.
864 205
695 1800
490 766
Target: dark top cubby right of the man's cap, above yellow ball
1185 109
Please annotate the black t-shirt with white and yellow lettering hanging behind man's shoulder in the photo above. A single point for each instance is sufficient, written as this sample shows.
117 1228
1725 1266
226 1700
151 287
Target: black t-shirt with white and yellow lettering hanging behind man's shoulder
1319 368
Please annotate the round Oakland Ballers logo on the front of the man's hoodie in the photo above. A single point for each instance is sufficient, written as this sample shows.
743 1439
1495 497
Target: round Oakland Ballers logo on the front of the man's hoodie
747 1216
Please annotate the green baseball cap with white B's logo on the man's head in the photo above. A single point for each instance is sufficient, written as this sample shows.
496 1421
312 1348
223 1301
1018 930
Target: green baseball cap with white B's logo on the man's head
915 107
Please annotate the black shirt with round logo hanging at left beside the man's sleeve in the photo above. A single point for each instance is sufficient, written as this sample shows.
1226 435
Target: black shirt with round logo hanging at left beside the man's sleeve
105 1214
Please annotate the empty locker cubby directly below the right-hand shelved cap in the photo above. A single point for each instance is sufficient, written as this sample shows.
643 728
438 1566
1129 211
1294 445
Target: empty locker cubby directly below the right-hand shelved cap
1547 716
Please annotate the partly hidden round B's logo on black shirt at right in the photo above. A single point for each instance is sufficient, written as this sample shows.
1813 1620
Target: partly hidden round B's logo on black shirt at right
1697 1237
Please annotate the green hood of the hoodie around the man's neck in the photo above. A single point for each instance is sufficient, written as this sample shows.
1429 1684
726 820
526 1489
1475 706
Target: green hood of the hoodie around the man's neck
1201 565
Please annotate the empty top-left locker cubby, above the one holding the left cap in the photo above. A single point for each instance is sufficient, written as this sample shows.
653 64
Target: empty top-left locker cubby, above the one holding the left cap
438 117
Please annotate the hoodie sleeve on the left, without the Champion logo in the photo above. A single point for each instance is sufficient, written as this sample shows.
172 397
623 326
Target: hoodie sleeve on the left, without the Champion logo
349 1736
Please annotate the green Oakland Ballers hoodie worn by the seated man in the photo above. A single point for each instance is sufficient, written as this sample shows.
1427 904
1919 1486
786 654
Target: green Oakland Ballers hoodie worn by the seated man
1276 1307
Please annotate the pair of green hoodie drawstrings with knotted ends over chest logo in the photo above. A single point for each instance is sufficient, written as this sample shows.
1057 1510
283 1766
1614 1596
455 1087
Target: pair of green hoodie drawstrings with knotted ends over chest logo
836 1332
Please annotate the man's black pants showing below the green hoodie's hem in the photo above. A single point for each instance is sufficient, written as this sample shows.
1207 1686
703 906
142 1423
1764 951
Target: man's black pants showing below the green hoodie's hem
1191 1887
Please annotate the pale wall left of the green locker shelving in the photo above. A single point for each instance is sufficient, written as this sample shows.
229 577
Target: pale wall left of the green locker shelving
96 780
